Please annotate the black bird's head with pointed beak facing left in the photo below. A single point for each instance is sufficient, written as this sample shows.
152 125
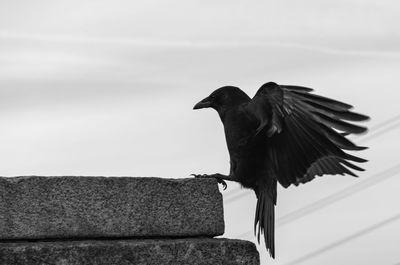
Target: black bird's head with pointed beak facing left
223 98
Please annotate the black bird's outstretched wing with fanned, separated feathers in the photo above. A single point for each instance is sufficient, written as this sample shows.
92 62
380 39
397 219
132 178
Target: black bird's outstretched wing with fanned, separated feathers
306 133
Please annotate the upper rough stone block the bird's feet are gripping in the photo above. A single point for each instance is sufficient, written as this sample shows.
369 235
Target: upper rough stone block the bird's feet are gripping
91 207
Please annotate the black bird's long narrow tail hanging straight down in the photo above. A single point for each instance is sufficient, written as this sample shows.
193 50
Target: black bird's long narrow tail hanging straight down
265 218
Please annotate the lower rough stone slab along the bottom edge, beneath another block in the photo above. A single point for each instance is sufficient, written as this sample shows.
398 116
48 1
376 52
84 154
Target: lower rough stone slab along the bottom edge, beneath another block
191 251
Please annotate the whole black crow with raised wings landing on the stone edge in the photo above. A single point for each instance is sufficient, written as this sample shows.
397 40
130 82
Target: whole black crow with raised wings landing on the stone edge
283 134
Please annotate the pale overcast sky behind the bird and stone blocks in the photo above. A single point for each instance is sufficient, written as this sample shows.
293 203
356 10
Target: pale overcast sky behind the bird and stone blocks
107 88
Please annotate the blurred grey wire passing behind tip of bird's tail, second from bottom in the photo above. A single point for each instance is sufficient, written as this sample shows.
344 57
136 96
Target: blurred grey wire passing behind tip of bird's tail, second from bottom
328 200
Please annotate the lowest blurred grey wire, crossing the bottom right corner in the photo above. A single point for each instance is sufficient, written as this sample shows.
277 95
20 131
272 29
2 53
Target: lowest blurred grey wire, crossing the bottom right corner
345 240
